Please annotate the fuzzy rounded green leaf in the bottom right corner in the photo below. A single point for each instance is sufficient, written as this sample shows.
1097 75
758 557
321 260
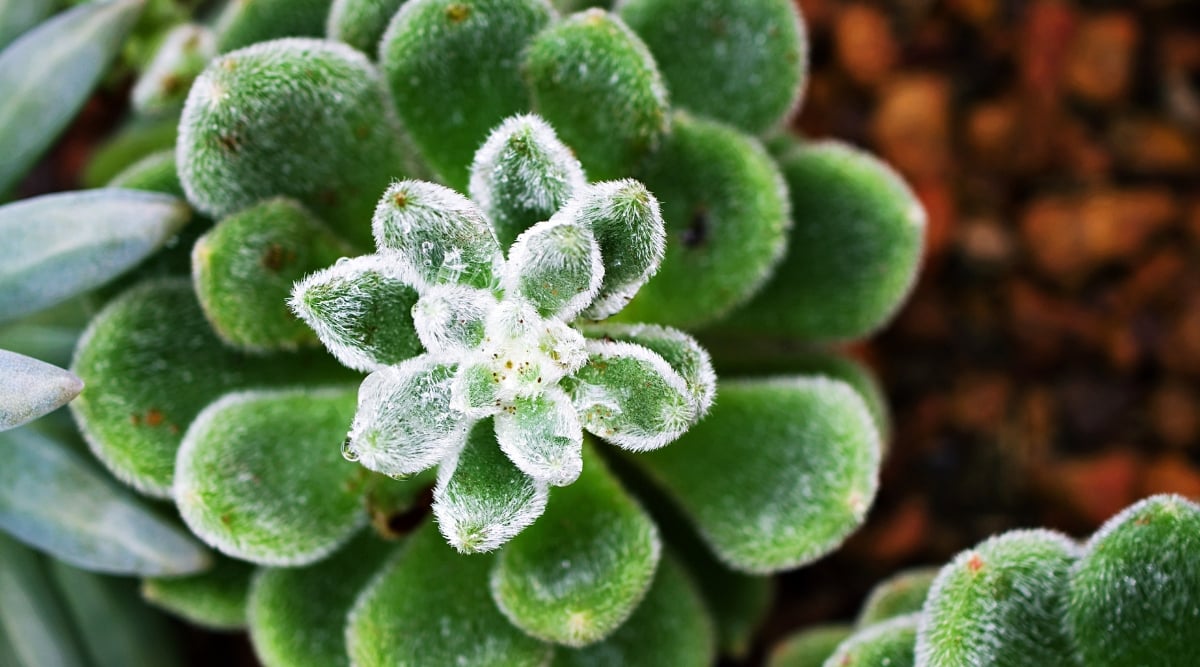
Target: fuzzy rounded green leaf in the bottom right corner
1136 591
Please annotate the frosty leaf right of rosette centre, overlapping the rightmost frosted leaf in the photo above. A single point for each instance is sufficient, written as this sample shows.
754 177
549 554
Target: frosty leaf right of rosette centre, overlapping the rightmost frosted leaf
631 396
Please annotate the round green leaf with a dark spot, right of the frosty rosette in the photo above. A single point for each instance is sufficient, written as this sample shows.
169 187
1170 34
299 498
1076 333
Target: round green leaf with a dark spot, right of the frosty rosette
727 212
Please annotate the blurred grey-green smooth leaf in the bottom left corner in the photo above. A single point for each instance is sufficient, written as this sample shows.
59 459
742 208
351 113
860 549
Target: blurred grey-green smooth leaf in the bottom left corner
33 618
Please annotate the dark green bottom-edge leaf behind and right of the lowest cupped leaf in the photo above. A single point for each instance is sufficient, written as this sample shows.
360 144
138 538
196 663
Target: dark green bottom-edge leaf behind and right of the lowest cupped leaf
671 627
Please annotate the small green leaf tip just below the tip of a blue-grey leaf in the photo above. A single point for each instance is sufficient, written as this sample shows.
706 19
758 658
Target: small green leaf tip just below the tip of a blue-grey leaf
215 599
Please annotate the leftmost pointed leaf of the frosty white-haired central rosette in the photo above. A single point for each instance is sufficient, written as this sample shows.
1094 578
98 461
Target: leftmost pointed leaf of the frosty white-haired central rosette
362 311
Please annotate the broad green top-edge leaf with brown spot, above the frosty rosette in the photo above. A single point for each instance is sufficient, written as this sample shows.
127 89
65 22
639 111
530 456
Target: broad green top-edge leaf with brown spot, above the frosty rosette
454 71
